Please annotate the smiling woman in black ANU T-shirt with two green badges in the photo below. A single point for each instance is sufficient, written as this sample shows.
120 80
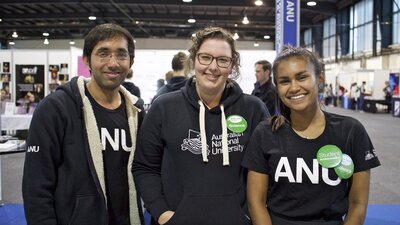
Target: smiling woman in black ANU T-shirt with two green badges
307 166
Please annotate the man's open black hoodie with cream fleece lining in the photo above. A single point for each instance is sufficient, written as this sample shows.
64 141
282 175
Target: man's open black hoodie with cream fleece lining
63 180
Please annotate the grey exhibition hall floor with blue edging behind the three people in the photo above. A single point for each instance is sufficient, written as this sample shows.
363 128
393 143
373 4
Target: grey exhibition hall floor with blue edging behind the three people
384 208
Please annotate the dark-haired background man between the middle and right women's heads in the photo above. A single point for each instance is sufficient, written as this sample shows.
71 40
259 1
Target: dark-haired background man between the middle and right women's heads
264 88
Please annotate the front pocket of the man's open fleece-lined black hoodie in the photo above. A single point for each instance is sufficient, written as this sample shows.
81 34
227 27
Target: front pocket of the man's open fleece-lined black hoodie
87 210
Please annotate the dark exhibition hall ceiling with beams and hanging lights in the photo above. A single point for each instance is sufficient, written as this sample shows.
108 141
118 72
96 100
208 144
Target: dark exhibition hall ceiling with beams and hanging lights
68 19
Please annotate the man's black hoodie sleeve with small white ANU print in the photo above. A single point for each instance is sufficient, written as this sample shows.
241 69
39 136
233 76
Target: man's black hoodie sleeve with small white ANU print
41 162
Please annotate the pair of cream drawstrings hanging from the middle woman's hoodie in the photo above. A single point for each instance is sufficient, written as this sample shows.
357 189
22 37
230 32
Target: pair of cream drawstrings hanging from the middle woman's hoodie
203 137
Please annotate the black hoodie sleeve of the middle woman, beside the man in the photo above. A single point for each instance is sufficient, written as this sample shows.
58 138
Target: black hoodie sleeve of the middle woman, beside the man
146 166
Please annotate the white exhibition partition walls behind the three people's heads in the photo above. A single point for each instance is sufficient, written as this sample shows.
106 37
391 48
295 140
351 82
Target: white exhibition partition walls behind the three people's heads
149 66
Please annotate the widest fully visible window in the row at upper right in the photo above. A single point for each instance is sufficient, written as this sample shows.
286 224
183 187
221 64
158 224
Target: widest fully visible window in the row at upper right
361 26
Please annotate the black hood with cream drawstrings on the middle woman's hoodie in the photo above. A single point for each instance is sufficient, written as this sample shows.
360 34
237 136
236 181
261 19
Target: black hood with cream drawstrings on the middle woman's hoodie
230 95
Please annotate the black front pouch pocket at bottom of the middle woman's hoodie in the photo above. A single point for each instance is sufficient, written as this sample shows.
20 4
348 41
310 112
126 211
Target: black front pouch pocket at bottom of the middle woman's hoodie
209 210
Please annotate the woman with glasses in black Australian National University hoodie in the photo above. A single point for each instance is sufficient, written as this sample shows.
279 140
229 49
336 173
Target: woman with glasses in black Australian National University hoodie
187 163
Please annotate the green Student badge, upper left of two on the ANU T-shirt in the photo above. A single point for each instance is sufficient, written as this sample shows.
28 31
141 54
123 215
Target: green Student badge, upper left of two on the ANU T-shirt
329 156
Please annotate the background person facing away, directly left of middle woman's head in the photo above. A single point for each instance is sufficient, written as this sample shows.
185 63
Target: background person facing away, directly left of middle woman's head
179 75
